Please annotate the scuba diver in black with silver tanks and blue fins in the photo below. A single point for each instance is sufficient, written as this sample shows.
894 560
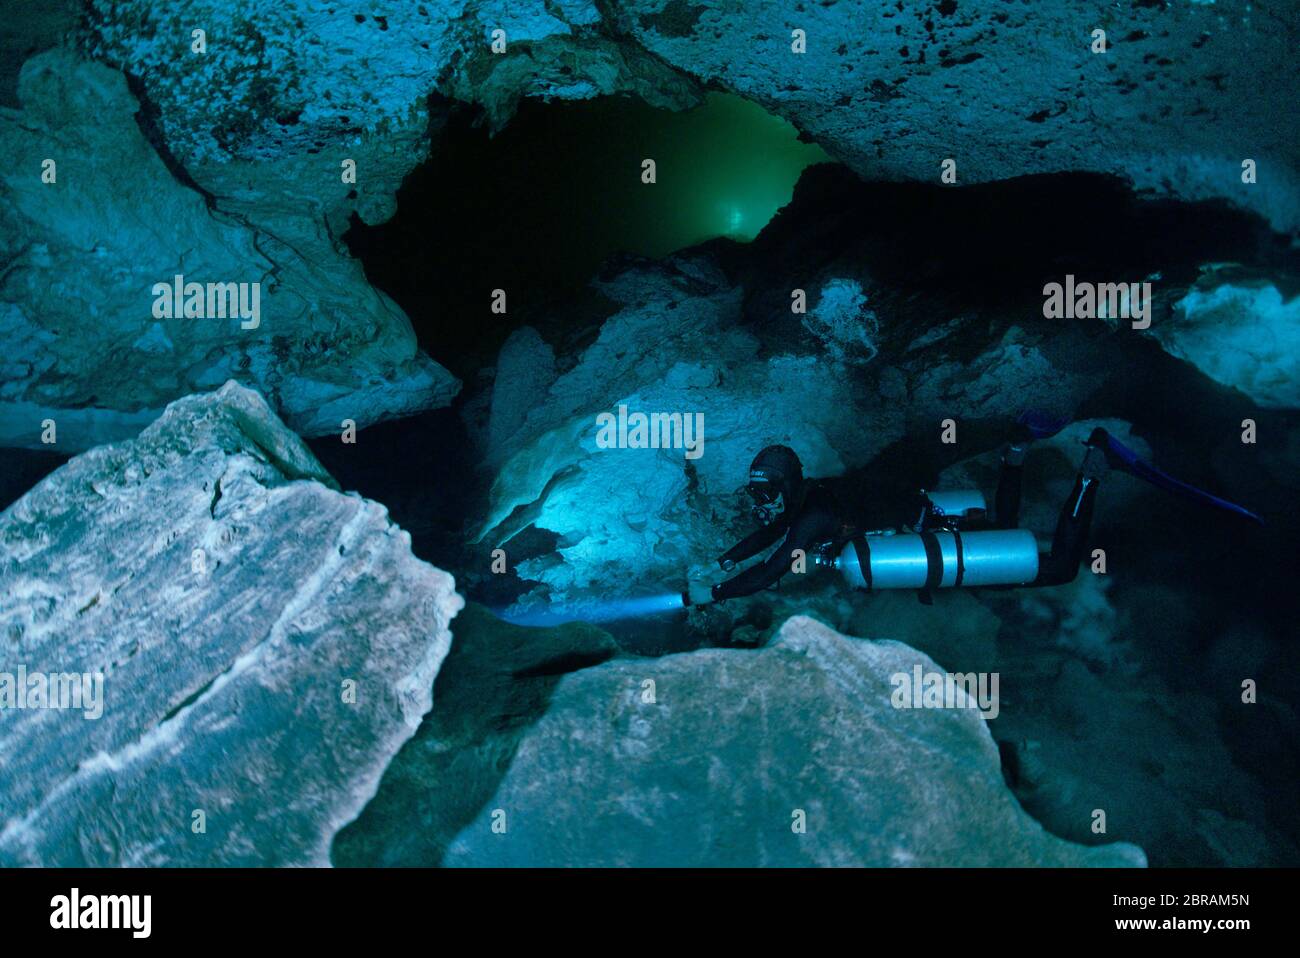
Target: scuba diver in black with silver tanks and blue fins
886 535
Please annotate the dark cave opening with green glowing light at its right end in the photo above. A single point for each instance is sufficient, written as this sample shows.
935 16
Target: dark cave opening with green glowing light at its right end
536 209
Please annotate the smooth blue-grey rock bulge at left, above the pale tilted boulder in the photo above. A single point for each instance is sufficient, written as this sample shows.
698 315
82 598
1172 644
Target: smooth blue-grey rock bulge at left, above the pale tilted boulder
79 336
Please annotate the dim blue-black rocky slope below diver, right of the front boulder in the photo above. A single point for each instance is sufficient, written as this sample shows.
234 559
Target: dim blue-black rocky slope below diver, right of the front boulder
1091 718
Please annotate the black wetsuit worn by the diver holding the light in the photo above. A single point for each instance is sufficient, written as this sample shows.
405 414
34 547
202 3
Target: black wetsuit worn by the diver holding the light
839 509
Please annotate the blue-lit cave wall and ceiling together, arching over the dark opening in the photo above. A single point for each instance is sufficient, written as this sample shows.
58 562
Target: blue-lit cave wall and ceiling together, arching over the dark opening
237 154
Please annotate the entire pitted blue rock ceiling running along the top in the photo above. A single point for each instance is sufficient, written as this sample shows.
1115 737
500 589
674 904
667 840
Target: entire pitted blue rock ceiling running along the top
890 89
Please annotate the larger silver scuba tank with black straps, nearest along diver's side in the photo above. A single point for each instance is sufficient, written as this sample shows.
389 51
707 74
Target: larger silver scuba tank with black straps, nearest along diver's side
941 560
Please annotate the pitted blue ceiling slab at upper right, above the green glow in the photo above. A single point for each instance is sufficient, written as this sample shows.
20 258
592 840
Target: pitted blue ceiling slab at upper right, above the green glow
1009 89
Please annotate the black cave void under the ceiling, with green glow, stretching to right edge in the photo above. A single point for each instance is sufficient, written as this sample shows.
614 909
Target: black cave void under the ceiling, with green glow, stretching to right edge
538 210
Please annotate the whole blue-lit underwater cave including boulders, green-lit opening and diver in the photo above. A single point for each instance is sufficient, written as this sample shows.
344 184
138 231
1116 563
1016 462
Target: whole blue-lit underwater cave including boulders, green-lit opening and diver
617 383
